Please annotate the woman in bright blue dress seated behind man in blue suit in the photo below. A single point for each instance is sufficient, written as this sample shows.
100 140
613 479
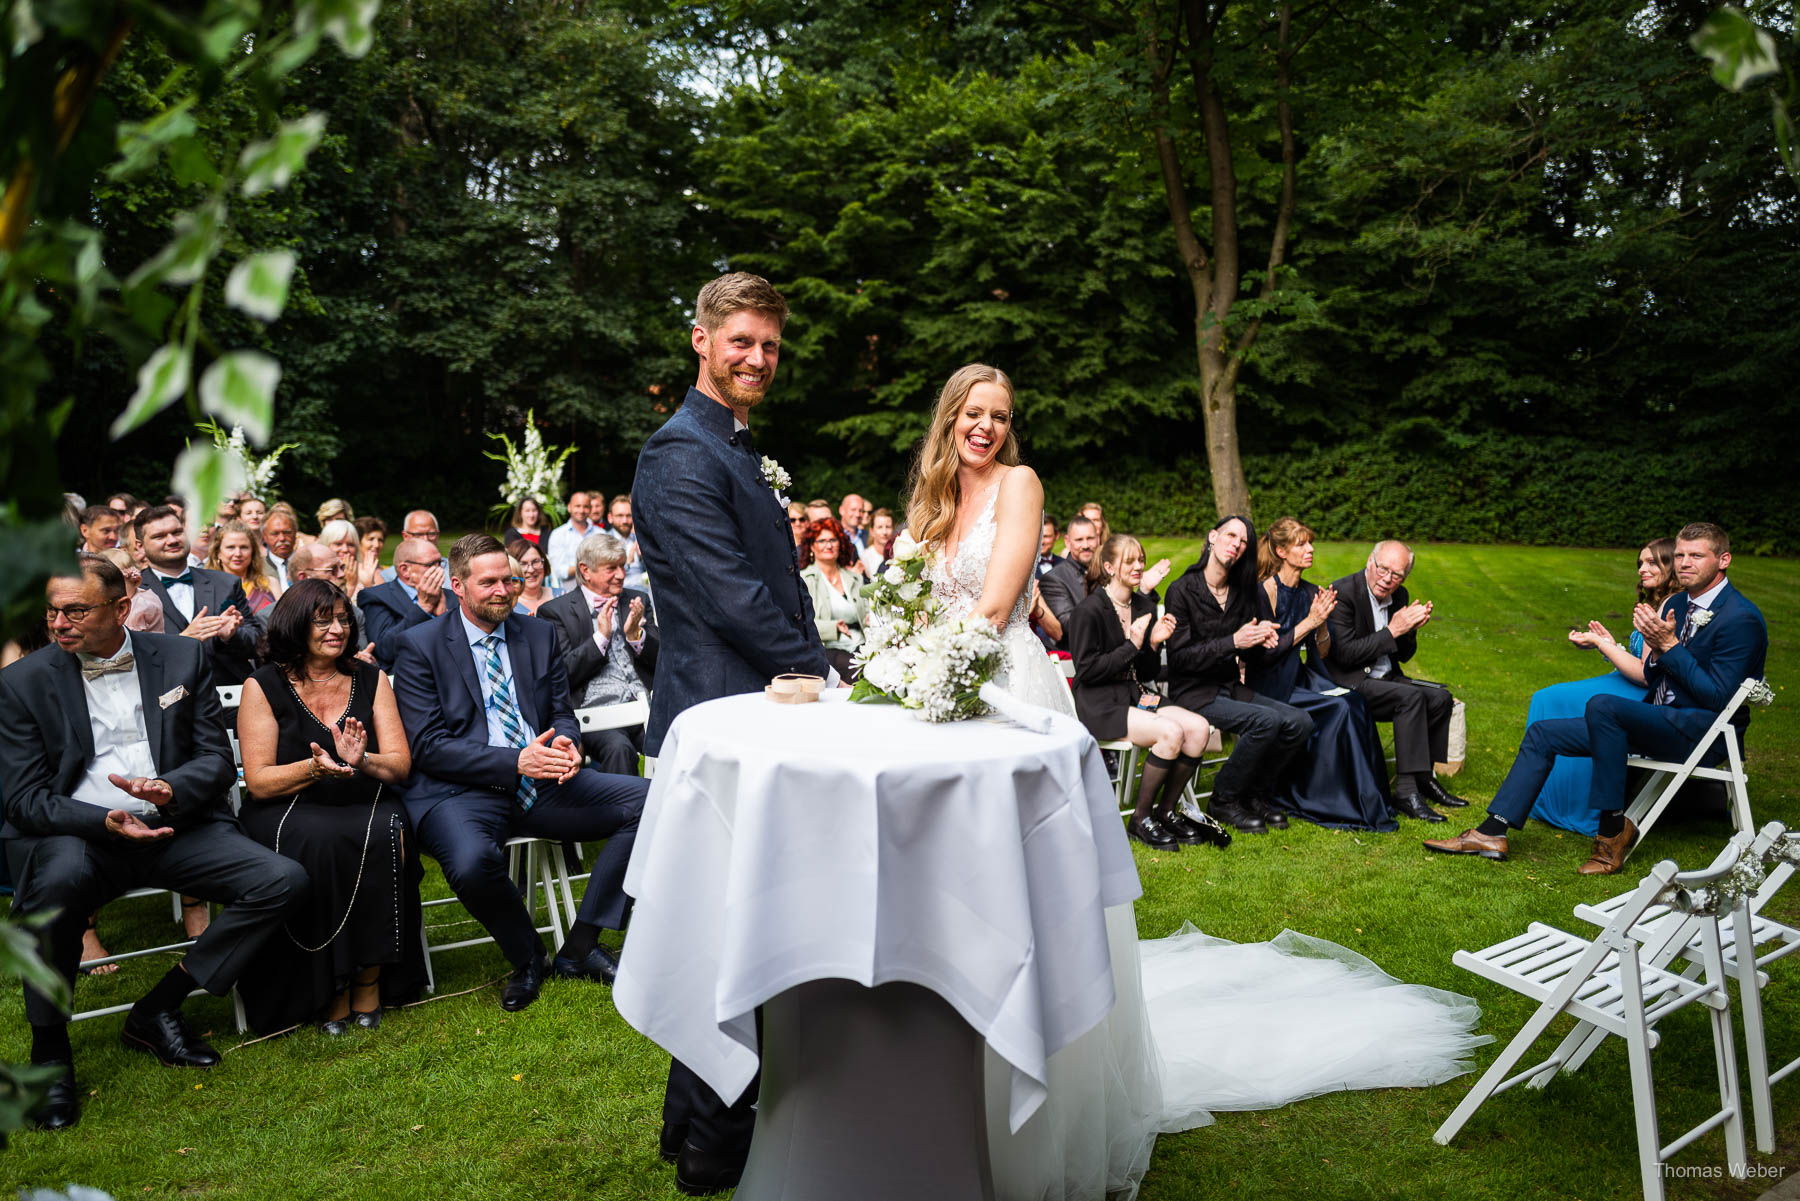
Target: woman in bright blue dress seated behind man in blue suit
1565 799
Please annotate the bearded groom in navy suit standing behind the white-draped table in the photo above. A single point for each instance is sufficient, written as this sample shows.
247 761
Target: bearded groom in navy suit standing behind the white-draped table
732 606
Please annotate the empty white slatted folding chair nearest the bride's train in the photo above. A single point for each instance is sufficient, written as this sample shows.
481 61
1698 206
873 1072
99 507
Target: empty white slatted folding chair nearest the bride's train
1615 986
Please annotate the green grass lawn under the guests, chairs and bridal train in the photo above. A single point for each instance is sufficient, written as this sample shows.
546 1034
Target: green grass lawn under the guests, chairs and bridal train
458 1099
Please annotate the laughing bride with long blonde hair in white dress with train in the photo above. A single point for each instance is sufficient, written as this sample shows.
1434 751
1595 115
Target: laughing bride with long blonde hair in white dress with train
1156 1063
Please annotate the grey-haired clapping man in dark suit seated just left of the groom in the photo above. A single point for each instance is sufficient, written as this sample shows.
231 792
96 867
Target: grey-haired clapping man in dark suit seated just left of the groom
607 642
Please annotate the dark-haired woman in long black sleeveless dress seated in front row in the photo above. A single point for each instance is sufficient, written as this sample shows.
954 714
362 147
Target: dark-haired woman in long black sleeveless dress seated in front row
323 763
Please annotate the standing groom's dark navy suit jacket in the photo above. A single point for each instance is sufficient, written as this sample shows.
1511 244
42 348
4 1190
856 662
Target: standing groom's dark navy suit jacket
723 566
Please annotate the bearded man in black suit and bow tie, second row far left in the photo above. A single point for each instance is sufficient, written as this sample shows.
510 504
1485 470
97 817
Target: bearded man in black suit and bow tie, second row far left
201 604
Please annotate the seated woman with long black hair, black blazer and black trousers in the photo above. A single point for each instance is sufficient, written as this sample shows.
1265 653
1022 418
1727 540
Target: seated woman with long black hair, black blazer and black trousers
1218 629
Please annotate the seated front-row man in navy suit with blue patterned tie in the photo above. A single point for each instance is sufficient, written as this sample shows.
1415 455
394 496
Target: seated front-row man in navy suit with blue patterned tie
496 754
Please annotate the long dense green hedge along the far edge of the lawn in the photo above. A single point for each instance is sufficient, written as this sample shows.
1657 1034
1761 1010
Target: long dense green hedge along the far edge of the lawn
1497 489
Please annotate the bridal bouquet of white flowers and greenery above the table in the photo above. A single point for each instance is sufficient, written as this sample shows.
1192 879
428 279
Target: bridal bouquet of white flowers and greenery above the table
912 656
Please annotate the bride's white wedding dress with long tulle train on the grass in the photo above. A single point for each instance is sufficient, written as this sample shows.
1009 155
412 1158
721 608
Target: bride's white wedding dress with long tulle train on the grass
1198 1024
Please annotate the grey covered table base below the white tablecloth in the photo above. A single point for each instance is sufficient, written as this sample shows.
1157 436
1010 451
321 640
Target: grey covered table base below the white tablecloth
870 1094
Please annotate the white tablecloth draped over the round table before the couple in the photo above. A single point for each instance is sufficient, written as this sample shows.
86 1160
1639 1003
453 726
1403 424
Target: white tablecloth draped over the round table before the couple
791 844
